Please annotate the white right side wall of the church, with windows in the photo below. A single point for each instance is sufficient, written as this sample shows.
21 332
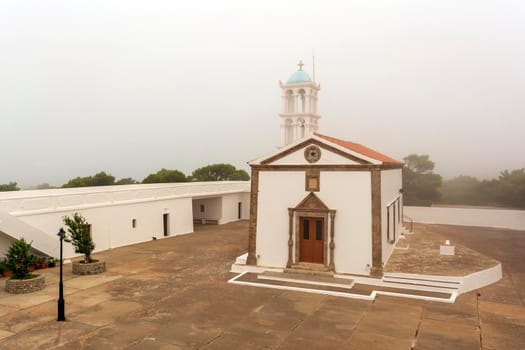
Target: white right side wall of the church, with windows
391 183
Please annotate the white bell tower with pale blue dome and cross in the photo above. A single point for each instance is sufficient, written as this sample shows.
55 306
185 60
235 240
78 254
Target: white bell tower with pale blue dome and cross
299 118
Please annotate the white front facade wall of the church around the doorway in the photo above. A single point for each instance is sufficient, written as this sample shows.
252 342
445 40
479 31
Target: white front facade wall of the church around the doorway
346 192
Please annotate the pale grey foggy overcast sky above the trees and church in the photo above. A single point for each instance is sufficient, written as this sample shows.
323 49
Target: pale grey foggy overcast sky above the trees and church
131 86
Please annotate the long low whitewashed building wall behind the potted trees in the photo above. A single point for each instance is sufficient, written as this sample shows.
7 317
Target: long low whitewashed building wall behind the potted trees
110 210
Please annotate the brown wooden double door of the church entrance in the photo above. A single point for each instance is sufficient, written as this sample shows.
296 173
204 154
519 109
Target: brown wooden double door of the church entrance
311 234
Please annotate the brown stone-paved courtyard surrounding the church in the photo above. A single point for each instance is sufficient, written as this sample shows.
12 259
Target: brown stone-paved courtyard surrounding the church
172 294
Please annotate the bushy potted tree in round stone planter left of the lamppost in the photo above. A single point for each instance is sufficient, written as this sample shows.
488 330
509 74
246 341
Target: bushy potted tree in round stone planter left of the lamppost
18 261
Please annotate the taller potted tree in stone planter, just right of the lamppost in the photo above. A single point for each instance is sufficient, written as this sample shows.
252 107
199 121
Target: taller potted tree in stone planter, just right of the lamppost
79 236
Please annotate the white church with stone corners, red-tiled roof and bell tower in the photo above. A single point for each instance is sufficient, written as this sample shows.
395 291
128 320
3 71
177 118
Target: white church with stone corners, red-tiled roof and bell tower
318 202
